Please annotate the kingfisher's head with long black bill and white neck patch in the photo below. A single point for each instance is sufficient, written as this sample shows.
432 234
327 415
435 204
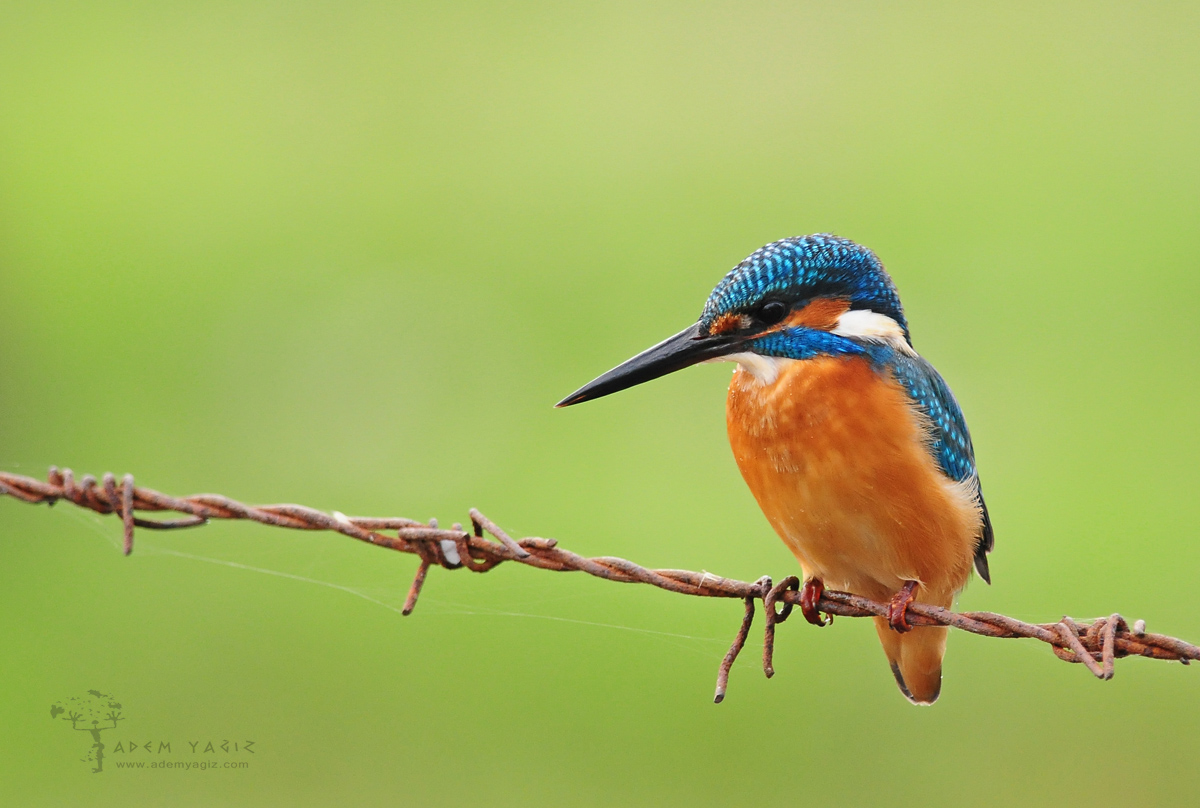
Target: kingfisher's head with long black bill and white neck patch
789 300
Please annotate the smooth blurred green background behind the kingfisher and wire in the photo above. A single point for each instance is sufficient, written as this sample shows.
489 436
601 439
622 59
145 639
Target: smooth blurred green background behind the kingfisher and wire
350 255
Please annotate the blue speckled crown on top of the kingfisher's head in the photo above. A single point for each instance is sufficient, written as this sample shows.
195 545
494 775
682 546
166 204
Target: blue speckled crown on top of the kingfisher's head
821 266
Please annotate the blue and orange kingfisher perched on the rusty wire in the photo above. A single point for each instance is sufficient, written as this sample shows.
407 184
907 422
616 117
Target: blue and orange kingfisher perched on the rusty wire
853 445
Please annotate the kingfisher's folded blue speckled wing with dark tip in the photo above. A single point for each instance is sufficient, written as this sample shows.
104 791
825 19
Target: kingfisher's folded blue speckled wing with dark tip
952 441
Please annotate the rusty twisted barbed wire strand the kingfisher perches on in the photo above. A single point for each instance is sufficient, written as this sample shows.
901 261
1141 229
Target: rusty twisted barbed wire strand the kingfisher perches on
1096 644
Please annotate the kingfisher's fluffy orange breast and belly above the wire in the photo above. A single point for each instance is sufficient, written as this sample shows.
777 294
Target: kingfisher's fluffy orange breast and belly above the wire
837 457
